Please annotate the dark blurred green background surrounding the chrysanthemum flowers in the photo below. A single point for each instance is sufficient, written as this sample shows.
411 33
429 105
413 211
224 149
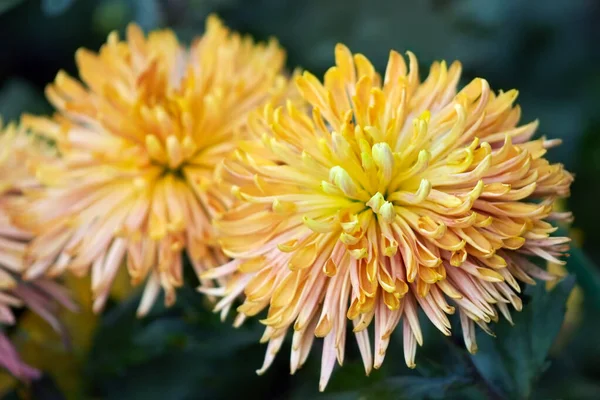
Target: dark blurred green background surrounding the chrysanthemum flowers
548 49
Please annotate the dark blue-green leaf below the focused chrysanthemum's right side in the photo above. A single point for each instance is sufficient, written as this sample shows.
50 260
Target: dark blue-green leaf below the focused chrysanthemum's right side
514 360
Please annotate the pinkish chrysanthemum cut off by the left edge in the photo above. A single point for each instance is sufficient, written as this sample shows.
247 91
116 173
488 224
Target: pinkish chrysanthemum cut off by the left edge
41 295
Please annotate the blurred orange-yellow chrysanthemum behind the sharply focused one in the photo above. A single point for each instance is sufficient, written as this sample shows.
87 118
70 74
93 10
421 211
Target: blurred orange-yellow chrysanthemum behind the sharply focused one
139 142
